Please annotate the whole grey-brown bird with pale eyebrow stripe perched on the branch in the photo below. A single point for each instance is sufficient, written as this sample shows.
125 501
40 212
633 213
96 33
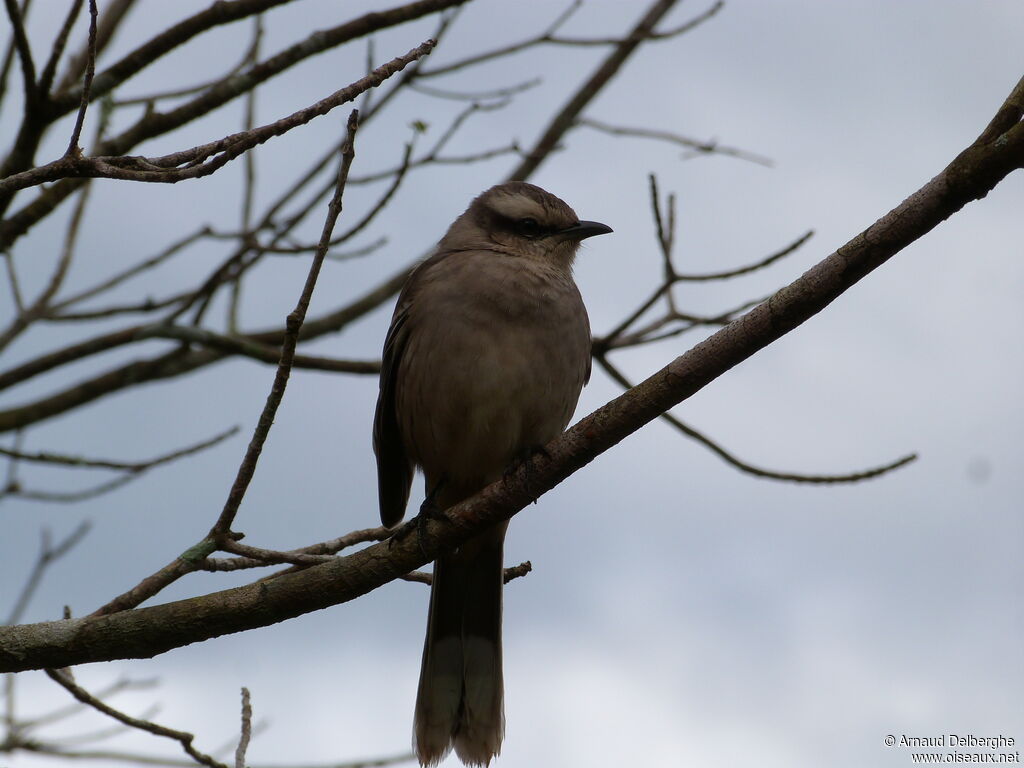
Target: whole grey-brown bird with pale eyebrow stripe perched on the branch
488 352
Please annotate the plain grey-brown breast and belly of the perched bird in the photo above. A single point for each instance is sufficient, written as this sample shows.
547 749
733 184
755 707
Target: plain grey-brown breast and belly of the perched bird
492 372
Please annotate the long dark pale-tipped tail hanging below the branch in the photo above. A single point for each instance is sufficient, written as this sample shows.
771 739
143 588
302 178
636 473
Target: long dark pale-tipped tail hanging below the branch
460 700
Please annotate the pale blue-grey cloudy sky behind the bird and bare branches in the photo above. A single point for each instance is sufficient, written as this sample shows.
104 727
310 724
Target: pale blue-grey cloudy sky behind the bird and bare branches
680 613
